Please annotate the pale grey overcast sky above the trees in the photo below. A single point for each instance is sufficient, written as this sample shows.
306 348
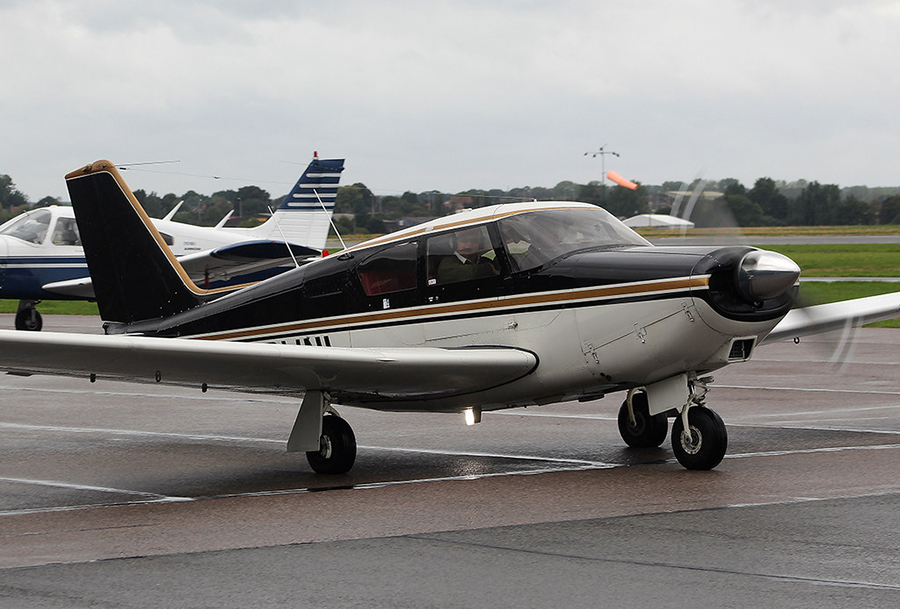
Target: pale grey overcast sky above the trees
449 95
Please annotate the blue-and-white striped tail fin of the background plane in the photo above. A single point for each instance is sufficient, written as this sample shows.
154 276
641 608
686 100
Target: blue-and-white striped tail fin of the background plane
304 216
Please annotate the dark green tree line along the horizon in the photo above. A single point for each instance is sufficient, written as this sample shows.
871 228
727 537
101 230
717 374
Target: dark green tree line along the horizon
358 210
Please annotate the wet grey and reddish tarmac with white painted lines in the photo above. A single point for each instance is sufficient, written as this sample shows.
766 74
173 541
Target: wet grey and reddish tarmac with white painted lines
124 495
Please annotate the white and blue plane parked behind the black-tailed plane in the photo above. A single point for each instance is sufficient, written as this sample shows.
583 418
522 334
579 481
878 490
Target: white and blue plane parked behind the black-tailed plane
41 257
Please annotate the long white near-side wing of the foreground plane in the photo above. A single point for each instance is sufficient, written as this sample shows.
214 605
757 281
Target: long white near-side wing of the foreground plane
363 375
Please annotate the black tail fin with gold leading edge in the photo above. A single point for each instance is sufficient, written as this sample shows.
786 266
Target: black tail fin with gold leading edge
135 275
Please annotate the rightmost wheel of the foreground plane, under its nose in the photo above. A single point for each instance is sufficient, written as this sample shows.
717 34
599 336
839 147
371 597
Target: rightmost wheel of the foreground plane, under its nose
703 446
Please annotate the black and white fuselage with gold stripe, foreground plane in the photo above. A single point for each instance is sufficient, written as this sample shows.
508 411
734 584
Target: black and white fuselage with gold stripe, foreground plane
599 317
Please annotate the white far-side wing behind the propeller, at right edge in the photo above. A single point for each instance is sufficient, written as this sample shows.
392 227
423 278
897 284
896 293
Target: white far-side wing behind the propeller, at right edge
835 315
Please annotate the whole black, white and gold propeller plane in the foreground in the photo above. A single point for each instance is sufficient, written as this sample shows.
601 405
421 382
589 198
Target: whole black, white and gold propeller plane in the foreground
561 302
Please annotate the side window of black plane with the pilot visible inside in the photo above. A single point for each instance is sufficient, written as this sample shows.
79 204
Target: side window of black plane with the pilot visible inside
462 255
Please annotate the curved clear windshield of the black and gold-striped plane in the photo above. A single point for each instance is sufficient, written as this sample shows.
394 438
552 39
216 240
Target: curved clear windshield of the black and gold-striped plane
534 238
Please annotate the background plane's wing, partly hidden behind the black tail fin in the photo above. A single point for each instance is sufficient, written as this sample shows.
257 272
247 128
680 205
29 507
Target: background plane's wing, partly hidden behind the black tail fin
223 263
